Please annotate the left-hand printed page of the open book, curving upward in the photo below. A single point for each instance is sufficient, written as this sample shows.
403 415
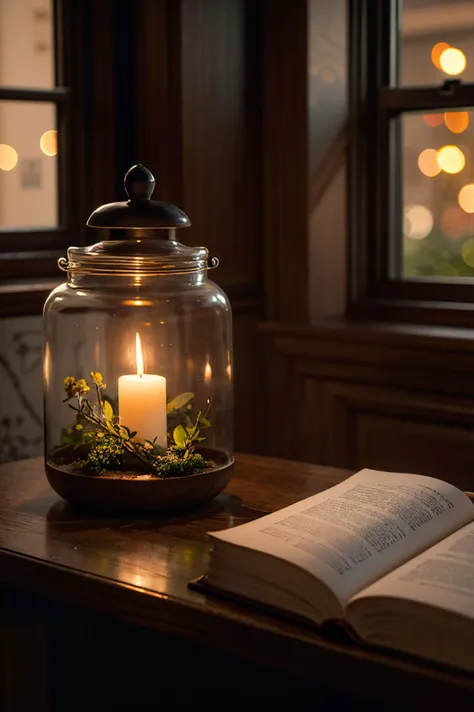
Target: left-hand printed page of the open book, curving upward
354 533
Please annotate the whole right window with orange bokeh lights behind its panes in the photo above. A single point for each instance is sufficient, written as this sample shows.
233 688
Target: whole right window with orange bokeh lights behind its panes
412 164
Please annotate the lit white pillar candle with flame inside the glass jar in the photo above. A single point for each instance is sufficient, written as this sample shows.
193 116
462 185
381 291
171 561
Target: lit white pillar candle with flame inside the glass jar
142 403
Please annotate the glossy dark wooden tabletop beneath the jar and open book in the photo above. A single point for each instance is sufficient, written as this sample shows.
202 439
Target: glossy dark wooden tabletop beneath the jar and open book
138 569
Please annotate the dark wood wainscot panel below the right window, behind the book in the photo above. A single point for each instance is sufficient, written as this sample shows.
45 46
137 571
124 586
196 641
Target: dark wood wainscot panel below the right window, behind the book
390 398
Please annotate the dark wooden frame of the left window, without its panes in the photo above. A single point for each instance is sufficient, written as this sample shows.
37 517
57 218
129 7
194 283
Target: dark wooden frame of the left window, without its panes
28 257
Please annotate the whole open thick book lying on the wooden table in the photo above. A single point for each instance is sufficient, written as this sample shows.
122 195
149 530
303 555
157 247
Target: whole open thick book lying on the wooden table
392 555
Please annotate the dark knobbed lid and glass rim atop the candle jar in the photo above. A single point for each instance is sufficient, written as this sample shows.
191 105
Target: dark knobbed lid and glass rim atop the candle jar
138 235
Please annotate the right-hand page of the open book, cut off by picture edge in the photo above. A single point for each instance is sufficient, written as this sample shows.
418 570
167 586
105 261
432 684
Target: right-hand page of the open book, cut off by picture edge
442 576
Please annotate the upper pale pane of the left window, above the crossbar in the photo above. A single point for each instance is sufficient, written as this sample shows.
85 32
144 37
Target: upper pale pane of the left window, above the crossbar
26 43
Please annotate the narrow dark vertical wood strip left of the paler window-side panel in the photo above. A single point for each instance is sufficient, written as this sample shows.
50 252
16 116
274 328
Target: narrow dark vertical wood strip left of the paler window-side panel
286 158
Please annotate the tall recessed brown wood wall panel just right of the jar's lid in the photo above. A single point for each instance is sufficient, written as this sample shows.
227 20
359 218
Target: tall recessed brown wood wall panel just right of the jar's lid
218 182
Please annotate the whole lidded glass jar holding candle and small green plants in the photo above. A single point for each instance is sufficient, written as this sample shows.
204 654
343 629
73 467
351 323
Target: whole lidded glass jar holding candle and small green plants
137 362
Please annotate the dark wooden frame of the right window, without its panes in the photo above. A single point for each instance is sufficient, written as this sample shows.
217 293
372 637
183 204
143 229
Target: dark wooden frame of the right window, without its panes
374 188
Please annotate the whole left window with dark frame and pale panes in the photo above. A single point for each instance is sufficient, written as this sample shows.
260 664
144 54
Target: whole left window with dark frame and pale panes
37 183
